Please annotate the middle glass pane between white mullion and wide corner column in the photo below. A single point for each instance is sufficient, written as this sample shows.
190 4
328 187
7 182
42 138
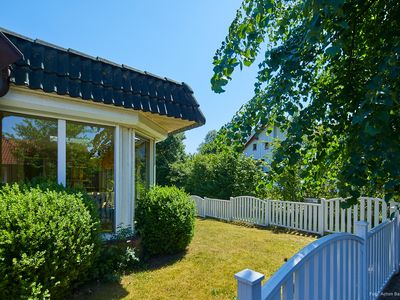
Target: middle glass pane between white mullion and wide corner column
90 165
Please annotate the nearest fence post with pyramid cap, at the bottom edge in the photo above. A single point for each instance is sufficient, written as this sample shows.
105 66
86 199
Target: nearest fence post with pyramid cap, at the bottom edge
249 285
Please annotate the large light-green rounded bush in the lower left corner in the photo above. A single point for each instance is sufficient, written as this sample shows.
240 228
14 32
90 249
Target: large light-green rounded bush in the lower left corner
48 240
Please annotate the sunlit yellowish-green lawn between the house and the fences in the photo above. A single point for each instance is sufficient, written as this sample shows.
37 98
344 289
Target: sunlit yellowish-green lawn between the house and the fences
217 252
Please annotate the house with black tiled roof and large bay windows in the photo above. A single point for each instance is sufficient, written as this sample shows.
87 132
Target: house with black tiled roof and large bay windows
86 122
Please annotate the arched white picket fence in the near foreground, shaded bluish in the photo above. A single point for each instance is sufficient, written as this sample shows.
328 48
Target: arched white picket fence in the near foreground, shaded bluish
337 266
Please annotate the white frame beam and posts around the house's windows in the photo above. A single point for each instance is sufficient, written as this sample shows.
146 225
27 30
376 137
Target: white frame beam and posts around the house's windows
63 109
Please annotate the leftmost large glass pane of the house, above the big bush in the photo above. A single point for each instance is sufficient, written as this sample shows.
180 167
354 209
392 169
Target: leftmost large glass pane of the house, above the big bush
28 148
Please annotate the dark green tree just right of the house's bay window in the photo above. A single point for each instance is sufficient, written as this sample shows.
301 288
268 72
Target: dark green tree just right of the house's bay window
170 151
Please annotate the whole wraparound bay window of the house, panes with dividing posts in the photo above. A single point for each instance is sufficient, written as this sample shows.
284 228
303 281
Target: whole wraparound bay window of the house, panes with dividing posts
79 155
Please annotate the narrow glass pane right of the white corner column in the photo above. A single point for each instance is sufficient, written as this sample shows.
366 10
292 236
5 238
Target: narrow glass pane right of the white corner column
142 165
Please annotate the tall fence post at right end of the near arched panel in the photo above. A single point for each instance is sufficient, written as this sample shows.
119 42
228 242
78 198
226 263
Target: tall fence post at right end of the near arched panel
362 232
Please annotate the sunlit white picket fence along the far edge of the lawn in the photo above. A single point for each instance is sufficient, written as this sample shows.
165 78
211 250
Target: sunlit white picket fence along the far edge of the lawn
326 216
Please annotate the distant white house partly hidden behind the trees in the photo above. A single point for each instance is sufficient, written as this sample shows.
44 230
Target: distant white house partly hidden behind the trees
260 144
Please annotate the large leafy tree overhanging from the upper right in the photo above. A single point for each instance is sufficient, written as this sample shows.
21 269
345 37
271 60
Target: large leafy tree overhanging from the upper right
334 64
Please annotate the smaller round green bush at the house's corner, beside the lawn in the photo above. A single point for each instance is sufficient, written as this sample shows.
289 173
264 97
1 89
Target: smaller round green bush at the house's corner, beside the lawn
165 220
